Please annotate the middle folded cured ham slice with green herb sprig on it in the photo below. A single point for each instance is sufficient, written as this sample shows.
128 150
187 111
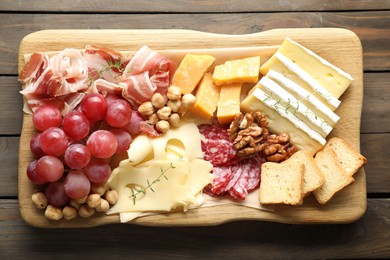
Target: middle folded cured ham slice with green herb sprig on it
104 63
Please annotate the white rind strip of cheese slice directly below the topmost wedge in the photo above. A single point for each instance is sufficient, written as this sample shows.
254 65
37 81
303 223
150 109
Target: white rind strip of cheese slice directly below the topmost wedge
302 74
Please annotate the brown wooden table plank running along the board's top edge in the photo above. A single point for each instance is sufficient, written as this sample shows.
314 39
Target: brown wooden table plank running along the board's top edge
373 28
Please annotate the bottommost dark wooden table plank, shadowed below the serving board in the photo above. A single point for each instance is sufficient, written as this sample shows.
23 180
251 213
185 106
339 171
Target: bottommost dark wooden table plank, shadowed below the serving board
366 238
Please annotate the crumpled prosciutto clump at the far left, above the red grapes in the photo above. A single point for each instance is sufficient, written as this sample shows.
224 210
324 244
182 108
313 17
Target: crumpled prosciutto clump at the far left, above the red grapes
55 80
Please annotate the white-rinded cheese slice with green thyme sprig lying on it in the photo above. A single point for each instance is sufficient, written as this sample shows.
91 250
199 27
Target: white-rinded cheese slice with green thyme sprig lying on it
297 108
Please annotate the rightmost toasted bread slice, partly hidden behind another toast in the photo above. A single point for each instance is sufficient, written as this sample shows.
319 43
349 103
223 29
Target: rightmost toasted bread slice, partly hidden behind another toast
350 160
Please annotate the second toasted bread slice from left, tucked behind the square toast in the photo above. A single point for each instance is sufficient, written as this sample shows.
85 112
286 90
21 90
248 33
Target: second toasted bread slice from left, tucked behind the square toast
312 176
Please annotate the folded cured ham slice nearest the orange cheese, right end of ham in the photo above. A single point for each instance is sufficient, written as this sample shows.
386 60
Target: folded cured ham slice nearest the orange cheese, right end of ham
147 59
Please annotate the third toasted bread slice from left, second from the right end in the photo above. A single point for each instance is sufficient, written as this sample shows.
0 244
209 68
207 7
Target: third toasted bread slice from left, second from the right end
335 177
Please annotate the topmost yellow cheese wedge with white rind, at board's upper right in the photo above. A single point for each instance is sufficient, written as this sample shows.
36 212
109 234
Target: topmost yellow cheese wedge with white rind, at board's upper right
335 80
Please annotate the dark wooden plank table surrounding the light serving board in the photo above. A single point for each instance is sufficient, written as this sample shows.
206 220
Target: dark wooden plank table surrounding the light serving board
368 237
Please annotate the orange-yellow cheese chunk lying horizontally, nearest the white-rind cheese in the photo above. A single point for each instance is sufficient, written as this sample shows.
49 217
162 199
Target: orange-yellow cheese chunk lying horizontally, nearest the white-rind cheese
237 71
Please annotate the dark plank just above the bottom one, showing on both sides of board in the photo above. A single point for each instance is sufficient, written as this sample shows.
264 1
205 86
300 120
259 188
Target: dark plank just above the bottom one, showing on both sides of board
374 146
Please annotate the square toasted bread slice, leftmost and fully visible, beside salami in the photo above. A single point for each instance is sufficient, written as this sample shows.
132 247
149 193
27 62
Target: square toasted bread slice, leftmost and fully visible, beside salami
281 183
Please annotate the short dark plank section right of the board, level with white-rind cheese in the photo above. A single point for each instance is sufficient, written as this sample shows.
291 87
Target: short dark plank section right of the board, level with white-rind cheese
376 103
